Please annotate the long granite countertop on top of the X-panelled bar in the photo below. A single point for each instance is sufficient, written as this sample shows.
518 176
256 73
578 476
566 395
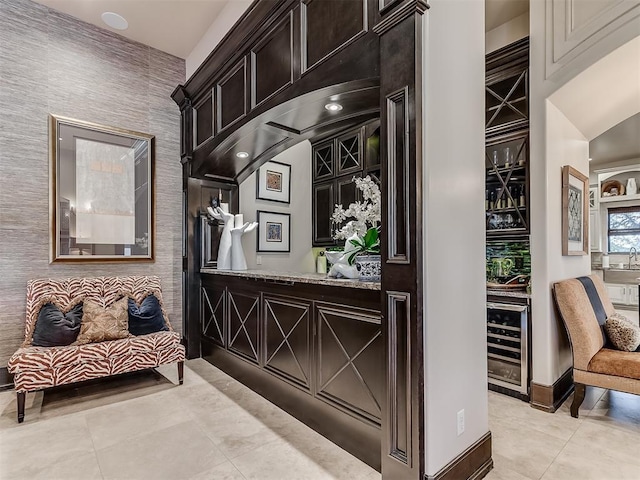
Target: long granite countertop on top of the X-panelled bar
294 277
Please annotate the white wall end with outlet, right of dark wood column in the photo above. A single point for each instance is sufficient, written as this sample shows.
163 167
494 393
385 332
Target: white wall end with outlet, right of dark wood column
455 343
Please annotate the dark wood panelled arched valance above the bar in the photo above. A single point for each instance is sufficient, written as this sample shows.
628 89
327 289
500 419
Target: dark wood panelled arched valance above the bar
269 91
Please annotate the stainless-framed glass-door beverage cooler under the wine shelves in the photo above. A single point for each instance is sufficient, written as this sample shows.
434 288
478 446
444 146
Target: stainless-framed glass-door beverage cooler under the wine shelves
508 345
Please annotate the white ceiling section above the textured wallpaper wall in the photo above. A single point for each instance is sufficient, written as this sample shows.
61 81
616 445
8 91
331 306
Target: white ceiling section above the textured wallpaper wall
173 26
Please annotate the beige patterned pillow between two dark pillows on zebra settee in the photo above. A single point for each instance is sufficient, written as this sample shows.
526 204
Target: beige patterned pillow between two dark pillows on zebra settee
100 324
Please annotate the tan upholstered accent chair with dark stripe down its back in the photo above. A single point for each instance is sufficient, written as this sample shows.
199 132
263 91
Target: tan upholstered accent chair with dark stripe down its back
584 306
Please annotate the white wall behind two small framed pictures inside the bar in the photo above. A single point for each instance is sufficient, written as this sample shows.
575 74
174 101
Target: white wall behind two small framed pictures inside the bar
301 258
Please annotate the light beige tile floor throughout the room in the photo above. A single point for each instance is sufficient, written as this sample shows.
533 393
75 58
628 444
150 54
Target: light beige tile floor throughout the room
143 426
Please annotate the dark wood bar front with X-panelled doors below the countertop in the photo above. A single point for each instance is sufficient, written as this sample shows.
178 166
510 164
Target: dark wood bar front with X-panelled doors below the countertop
321 361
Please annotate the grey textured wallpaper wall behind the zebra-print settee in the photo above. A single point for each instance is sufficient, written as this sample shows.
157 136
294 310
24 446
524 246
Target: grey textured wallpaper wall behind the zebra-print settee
53 63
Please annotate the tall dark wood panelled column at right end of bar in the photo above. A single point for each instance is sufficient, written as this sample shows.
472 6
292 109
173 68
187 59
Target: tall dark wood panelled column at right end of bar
401 31
